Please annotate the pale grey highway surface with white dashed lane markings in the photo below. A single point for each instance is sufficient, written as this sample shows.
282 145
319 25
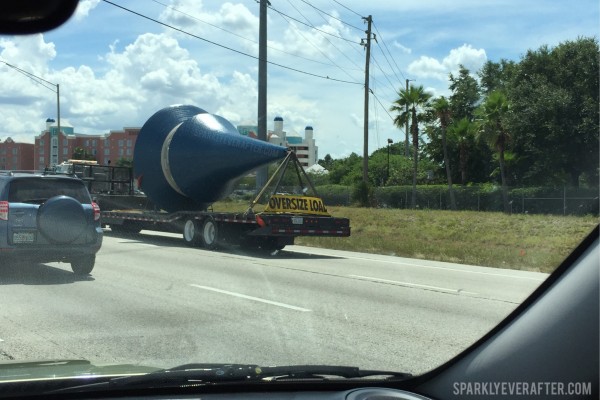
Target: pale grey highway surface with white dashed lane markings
153 301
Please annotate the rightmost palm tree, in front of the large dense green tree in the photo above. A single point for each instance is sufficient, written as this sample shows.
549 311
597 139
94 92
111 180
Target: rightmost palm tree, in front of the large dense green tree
491 114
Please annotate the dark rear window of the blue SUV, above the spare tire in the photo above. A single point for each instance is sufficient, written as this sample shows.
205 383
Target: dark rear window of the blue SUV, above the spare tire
38 190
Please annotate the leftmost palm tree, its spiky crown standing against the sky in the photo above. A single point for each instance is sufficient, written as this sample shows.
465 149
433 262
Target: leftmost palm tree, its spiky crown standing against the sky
416 99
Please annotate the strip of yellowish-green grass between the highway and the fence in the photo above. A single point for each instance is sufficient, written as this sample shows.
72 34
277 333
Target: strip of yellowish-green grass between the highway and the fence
517 241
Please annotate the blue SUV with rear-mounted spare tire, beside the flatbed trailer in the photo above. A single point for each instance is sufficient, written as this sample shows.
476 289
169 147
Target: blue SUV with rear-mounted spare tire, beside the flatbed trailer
46 218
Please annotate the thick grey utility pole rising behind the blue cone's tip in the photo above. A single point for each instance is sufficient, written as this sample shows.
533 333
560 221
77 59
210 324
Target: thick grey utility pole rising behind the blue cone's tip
261 174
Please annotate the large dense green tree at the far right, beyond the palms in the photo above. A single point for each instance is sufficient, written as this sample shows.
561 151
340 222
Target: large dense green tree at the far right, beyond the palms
554 119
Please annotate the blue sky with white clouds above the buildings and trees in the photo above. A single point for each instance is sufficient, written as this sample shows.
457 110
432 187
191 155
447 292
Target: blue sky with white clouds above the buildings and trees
115 68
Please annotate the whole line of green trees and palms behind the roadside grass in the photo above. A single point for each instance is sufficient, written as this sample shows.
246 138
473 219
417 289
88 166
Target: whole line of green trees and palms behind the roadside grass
528 123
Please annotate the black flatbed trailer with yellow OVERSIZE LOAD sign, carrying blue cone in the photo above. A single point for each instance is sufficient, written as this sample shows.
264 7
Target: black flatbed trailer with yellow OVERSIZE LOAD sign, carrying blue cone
287 216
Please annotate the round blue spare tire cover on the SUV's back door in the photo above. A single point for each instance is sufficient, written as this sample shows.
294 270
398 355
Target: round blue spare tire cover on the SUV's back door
61 219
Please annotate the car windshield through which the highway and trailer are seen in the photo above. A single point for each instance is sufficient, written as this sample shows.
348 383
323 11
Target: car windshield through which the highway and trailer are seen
332 183
